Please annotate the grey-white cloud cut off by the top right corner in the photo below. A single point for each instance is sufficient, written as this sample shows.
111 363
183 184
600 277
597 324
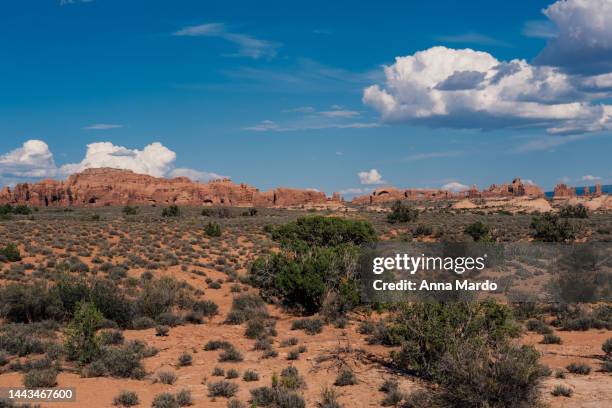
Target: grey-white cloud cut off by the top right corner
583 41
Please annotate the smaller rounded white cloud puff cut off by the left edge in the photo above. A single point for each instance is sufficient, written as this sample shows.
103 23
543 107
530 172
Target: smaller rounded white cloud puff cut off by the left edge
32 159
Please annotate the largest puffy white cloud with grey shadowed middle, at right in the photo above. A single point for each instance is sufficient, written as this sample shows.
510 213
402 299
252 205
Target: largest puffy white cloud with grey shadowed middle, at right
471 89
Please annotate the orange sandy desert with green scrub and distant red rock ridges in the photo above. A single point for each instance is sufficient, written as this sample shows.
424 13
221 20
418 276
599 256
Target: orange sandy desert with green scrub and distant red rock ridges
134 303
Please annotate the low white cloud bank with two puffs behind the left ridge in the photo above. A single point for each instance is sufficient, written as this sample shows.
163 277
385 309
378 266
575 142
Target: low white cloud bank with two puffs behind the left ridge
34 160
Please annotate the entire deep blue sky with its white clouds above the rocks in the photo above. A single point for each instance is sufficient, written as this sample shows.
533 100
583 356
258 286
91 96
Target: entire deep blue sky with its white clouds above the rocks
295 94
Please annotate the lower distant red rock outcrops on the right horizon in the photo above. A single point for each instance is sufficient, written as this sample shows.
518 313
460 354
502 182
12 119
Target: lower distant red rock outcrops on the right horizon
515 189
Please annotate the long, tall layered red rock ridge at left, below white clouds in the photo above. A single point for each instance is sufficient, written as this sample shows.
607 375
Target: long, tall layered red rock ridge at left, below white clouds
110 187
